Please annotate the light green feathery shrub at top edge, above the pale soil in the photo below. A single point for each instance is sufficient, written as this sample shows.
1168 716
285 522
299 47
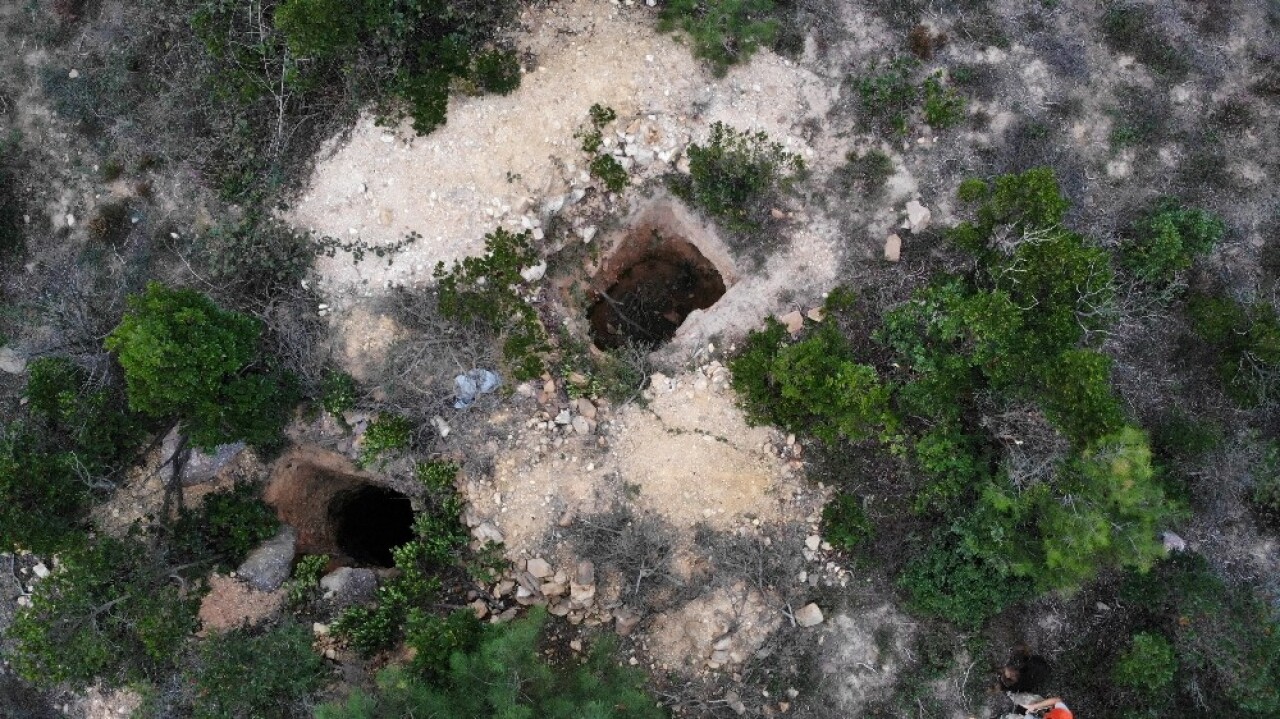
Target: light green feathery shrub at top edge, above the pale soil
724 33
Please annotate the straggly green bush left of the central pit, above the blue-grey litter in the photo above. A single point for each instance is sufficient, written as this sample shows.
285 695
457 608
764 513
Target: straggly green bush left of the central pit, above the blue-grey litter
486 288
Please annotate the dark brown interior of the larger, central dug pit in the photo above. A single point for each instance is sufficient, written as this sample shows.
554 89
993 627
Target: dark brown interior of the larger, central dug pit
655 294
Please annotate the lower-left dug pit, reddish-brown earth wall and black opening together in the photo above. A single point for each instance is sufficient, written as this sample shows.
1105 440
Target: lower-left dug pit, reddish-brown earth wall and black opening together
337 511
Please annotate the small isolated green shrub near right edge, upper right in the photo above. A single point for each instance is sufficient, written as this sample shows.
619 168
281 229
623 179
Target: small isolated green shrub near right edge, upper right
1168 241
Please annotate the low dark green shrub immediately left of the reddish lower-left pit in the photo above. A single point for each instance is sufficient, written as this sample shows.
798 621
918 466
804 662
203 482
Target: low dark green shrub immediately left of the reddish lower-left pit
226 526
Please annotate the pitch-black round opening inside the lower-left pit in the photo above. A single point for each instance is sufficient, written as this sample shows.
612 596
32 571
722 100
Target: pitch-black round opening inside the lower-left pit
371 521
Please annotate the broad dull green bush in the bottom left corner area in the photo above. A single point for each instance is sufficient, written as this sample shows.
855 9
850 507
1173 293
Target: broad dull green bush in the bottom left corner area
109 612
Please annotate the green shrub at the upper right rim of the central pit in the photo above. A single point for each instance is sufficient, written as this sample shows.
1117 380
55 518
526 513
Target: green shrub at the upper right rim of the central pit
737 176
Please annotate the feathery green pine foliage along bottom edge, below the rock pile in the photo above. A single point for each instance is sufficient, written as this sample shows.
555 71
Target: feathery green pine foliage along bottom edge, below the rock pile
504 675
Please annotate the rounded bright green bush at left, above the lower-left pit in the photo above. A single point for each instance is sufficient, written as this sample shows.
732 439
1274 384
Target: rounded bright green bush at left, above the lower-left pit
185 358
